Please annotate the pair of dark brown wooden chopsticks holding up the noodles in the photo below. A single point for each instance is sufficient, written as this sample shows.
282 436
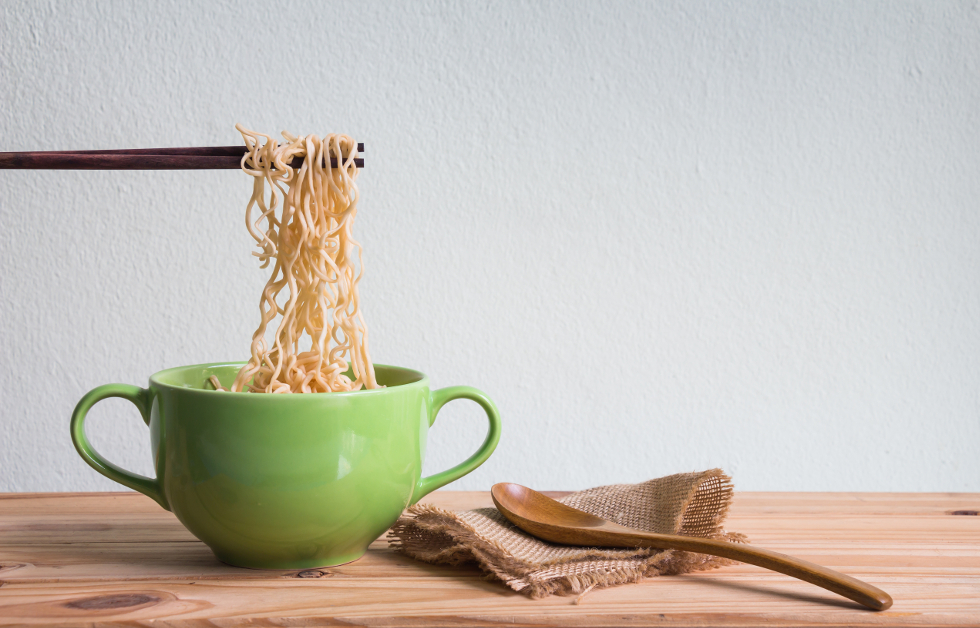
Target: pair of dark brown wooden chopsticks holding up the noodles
183 158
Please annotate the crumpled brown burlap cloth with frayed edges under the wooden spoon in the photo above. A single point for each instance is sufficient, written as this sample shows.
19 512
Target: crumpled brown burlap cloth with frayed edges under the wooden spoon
693 504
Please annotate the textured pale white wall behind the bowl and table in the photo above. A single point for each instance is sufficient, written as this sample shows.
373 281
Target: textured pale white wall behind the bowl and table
662 236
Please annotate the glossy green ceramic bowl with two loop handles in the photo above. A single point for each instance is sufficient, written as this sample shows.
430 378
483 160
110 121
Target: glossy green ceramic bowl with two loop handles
285 481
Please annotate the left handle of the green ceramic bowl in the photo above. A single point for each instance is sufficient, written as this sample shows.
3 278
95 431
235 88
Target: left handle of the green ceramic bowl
140 397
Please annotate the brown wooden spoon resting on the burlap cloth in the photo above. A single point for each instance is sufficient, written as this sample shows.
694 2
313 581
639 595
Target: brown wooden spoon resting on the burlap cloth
547 519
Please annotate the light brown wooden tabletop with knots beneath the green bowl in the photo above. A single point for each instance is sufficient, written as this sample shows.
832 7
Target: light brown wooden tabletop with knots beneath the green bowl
117 558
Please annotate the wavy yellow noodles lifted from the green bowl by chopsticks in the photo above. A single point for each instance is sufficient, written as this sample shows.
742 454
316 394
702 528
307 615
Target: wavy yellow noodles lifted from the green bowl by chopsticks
316 267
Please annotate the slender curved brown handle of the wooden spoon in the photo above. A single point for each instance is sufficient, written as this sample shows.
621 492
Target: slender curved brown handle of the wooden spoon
842 584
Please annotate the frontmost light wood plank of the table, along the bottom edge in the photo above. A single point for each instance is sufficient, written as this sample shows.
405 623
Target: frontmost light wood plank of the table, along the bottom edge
684 600
